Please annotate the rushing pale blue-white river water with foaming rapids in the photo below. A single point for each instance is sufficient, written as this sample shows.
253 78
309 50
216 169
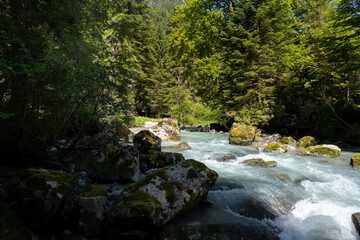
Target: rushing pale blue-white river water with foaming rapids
302 197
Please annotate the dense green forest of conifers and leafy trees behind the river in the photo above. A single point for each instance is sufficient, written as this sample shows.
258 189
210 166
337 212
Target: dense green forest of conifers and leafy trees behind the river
290 66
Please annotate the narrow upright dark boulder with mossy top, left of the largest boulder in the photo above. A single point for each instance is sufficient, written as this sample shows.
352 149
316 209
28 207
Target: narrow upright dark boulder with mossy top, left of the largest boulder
92 205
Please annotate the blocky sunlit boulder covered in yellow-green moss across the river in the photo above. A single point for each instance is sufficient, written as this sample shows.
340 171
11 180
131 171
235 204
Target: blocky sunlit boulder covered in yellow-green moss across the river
241 134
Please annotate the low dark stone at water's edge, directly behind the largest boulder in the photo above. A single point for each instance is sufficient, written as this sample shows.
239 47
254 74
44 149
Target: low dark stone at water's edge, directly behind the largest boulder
155 159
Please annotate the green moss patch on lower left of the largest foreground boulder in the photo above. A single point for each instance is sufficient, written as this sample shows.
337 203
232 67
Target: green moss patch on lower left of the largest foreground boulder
141 203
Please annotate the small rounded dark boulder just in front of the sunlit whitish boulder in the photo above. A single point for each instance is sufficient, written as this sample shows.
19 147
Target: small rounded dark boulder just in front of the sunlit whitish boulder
145 141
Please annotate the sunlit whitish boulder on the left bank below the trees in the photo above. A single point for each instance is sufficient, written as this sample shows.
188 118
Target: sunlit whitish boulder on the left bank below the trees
167 129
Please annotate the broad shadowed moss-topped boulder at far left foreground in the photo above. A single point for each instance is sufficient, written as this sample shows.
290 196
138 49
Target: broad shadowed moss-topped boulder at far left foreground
37 194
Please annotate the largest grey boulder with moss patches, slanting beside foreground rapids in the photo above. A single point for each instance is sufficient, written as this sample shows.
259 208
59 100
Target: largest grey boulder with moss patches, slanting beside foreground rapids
160 197
